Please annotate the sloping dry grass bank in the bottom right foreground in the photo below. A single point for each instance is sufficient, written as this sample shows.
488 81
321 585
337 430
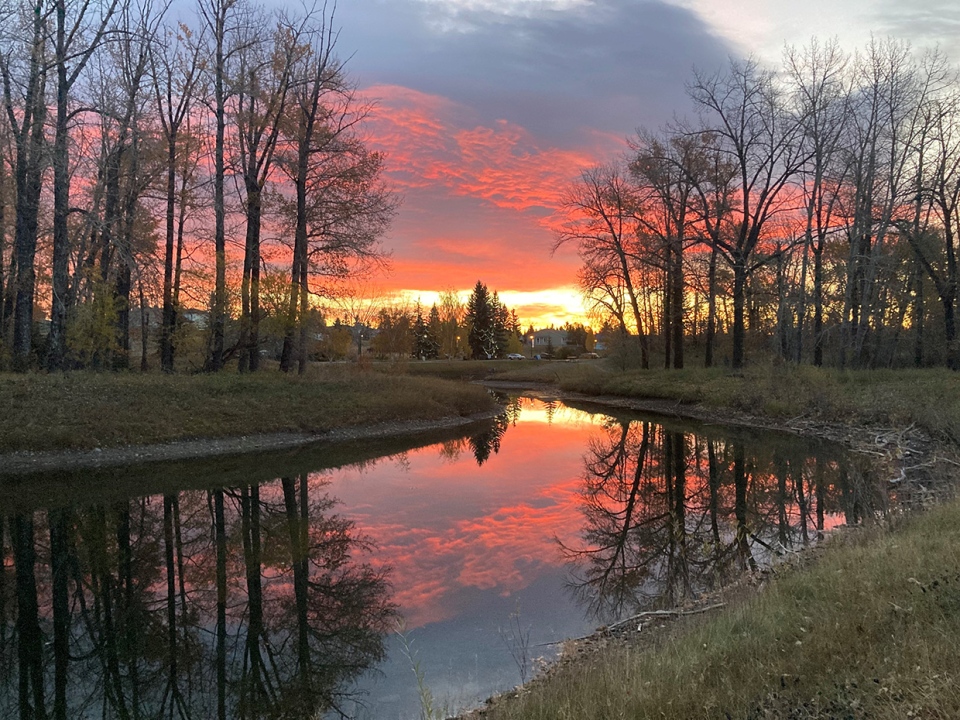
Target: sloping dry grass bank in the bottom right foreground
871 630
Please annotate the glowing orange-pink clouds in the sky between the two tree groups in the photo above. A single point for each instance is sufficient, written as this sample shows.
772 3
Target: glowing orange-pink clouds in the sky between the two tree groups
479 199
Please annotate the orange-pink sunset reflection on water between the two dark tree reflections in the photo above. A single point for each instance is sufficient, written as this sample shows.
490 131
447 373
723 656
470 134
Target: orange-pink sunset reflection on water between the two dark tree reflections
489 528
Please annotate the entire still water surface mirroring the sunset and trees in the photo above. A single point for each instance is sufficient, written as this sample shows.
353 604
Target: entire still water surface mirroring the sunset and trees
294 584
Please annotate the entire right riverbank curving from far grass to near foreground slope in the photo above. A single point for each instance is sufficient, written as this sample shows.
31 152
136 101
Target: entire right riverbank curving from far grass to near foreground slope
865 626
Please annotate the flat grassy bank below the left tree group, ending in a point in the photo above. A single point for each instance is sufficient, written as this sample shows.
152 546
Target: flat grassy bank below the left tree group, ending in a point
87 410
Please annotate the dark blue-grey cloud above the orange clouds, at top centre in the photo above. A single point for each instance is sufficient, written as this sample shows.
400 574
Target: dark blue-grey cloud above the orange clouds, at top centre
610 66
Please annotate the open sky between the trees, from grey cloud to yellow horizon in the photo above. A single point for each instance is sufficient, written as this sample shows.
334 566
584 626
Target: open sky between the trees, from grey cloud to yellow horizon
487 109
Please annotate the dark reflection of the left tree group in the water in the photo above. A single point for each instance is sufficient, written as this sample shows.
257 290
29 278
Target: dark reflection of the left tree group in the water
241 603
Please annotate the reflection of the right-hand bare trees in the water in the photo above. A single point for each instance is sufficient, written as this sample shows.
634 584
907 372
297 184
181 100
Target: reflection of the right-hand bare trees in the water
669 514
